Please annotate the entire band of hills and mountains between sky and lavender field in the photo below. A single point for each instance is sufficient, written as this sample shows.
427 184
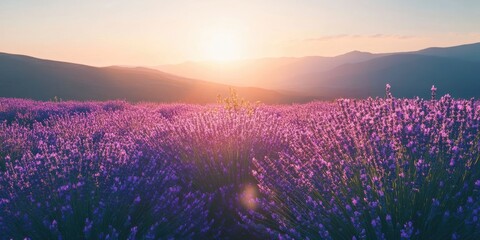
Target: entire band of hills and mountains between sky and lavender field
453 70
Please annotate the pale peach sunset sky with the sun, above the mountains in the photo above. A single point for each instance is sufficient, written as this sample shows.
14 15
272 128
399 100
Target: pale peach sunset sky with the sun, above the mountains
154 32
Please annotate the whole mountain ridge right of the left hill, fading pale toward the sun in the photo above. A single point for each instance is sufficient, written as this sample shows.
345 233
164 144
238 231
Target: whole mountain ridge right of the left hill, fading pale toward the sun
454 70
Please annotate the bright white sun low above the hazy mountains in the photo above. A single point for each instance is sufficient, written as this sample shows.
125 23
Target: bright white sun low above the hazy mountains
223 46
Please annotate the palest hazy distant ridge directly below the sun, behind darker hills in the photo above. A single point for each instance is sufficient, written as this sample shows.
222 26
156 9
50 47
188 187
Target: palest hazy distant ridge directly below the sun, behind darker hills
271 73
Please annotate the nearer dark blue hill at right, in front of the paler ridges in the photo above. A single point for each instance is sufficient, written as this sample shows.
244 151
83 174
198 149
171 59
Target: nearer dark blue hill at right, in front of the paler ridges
409 75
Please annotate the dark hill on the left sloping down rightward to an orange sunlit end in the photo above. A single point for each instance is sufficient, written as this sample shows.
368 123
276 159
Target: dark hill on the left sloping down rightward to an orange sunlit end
28 77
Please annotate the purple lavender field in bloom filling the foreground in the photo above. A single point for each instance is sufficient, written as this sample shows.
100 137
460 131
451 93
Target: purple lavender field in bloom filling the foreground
382 168
